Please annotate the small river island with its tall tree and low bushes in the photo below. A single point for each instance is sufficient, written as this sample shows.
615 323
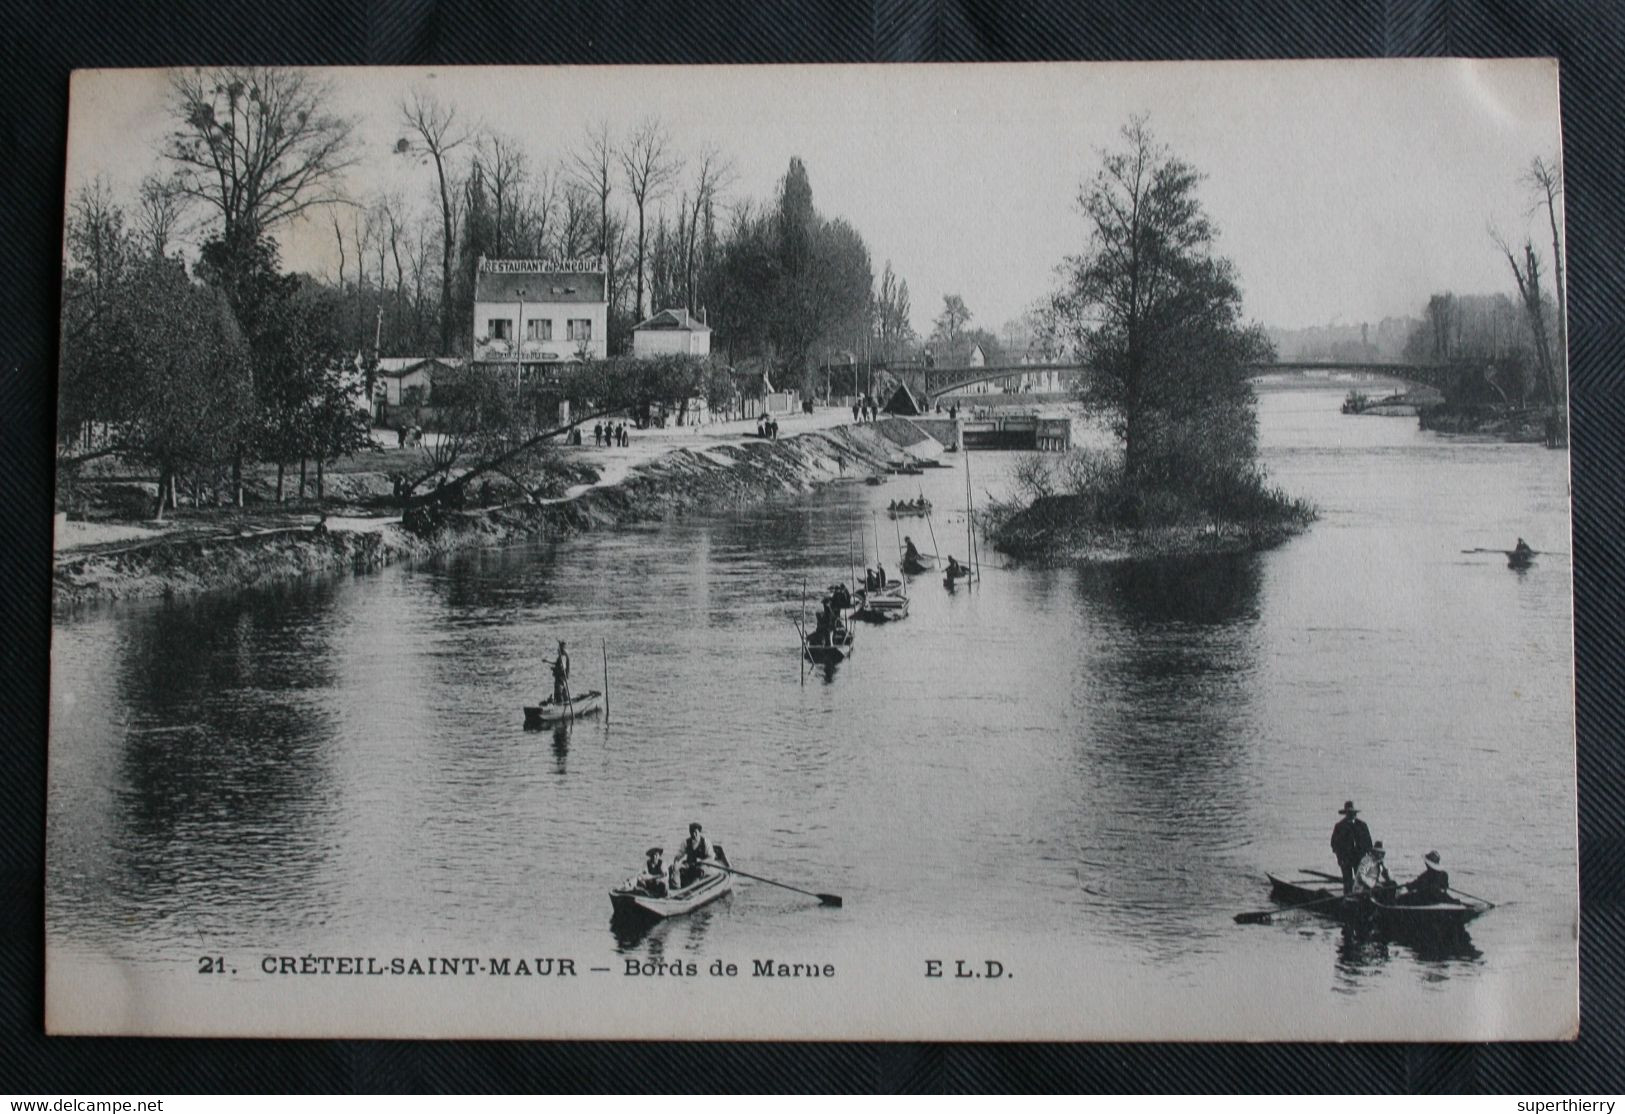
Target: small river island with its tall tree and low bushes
1156 314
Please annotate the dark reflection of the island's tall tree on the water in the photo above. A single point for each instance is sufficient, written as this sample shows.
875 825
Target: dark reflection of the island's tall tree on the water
1171 722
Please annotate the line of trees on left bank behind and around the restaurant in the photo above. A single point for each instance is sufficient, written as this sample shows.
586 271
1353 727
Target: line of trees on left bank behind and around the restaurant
204 366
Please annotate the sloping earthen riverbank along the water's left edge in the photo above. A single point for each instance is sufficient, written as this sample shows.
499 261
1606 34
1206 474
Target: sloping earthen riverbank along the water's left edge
687 475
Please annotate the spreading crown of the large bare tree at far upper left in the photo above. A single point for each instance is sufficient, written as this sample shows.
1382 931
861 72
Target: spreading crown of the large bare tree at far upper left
258 147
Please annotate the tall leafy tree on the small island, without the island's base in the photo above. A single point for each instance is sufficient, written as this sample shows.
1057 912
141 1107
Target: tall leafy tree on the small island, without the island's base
1156 314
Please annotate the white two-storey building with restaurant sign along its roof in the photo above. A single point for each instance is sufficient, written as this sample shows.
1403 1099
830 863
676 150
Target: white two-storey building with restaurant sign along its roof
537 313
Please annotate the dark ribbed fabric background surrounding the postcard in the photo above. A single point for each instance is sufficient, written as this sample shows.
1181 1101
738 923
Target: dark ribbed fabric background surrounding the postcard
43 41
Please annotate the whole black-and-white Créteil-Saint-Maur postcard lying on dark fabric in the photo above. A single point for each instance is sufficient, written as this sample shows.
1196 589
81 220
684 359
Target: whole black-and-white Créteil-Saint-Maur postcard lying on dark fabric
1059 551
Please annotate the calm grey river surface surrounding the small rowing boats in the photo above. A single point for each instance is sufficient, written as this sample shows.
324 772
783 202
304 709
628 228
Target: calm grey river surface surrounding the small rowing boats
1085 771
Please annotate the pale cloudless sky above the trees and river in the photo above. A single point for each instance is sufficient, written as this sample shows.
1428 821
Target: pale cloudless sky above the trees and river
1343 191
